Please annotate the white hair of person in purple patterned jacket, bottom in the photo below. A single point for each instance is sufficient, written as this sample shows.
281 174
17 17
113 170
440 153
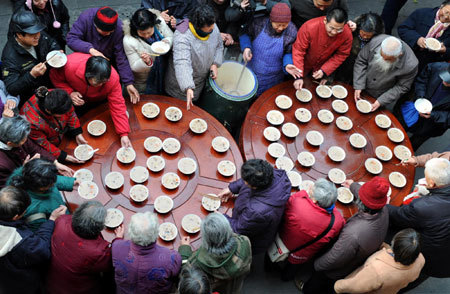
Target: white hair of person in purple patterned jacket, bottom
143 228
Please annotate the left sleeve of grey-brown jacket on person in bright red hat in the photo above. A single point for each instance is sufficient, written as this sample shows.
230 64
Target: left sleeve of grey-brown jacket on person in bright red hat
341 253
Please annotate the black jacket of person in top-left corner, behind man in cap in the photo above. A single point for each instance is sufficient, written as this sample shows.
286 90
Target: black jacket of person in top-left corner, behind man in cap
46 17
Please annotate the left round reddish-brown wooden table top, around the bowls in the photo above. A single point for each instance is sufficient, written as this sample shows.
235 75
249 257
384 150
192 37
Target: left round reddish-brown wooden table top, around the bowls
187 197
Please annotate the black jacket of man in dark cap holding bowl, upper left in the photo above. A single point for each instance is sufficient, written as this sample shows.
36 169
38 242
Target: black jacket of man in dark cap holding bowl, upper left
17 65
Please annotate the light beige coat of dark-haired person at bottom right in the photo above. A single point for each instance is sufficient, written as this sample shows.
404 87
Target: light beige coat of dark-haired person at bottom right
380 274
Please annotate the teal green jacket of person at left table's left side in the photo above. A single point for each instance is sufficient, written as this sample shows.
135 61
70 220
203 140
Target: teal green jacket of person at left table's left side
45 202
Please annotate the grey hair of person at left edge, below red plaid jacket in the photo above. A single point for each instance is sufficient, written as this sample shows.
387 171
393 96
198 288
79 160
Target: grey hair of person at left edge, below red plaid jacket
14 129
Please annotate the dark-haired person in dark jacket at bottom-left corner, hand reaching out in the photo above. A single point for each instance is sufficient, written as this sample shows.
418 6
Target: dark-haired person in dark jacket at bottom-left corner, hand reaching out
23 254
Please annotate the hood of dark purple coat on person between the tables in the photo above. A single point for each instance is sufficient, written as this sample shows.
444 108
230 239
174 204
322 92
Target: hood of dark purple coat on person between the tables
278 192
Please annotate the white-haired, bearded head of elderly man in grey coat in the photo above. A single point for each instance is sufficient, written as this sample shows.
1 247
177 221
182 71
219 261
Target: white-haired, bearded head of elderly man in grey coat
388 55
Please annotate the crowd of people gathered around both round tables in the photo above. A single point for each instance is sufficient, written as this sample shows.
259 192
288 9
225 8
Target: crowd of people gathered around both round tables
44 248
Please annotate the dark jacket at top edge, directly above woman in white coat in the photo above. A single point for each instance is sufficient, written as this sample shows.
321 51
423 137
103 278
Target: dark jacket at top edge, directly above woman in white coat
178 8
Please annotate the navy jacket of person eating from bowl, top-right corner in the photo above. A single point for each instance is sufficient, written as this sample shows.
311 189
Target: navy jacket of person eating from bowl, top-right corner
417 25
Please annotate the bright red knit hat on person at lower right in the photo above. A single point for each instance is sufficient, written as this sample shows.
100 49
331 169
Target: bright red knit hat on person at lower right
373 194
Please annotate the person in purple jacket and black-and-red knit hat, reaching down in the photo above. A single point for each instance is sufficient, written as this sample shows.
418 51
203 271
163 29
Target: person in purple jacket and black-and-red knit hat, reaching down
98 31
